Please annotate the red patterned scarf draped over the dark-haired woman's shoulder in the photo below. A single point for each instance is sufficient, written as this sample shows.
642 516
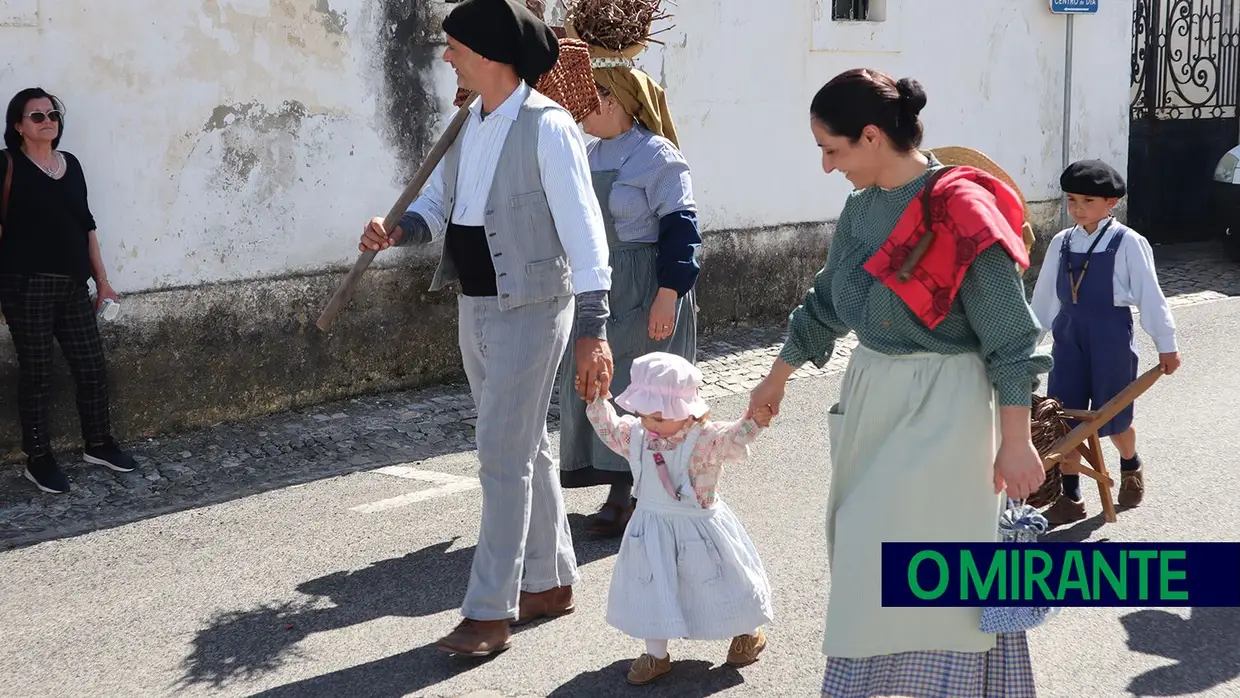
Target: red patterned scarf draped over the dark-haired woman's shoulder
969 210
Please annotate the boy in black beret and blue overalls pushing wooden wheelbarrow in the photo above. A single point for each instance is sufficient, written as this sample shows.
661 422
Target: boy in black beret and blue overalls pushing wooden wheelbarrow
1093 277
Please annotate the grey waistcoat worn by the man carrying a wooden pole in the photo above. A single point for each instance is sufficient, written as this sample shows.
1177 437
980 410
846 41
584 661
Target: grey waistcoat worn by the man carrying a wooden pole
530 261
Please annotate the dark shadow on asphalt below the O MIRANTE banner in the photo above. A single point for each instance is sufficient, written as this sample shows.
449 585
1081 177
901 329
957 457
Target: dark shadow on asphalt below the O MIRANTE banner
1206 649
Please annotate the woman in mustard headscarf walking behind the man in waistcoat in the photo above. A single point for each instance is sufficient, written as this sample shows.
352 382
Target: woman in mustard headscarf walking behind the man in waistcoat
647 197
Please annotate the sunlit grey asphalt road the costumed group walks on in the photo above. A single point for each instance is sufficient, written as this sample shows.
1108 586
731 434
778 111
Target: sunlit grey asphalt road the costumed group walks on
292 593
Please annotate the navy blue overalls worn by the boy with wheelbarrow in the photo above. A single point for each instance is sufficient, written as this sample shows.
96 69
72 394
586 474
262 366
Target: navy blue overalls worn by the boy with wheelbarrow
1093 338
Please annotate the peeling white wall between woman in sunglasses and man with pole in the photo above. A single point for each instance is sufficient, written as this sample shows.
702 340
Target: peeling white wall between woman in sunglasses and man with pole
236 139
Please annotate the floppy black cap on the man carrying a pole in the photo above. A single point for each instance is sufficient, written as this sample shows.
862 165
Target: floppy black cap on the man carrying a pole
507 33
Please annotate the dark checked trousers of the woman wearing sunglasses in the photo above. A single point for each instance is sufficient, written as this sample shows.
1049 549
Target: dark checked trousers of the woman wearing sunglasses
40 309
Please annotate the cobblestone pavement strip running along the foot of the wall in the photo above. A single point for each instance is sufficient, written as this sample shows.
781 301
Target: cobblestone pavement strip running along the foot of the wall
234 461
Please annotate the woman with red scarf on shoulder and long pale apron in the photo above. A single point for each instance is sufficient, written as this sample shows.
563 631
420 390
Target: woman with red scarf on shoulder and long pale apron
933 421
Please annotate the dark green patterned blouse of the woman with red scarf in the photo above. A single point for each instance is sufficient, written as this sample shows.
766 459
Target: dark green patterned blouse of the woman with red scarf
990 316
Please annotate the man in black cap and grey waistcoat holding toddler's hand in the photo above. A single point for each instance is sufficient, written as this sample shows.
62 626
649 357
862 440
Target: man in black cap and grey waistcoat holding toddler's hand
524 237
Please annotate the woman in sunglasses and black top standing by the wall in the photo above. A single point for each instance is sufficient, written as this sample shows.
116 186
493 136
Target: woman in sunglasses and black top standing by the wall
49 251
